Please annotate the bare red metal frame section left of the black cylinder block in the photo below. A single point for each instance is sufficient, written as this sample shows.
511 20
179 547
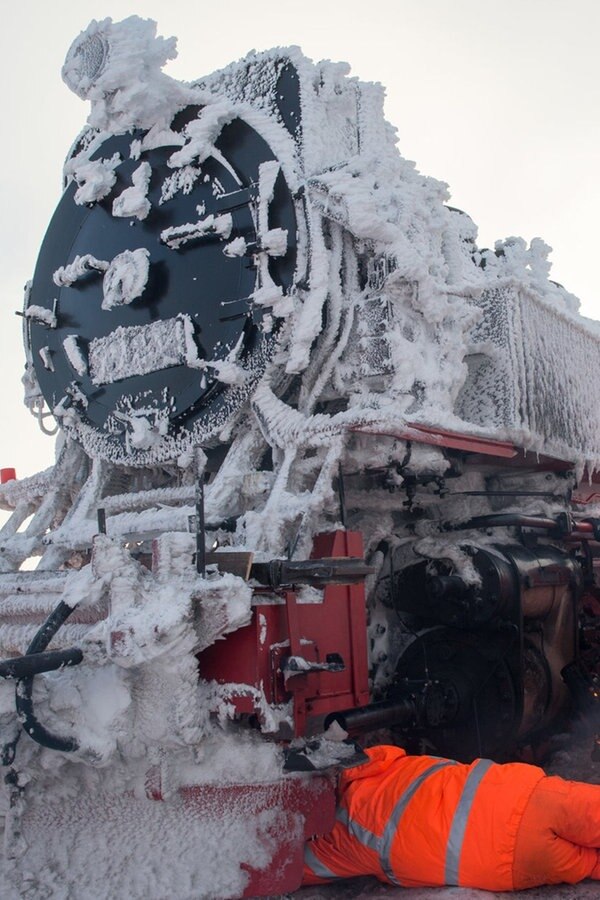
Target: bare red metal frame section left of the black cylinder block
250 661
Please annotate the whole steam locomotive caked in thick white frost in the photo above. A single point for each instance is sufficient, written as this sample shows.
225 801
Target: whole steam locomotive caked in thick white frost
324 468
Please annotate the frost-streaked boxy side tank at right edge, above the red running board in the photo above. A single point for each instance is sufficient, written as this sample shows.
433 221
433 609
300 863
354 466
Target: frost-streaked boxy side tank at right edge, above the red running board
536 371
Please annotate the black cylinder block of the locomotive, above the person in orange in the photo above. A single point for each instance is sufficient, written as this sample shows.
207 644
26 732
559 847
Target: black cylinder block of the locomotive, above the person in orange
497 650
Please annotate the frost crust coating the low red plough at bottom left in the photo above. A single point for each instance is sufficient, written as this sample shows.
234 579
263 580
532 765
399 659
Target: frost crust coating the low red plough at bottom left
180 851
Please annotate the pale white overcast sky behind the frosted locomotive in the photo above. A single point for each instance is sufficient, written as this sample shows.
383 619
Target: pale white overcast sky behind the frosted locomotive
498 99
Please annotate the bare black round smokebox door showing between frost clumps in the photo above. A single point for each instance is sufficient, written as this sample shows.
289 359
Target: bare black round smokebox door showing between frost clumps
197 280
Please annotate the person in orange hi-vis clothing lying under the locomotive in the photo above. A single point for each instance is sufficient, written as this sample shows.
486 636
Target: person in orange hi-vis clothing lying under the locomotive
420 821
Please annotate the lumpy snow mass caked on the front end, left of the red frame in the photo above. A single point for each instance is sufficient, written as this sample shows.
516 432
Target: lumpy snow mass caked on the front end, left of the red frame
141 691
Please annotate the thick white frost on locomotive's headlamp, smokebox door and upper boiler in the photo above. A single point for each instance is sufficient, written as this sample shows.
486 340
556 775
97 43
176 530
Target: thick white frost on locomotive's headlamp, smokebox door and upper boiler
394 311
